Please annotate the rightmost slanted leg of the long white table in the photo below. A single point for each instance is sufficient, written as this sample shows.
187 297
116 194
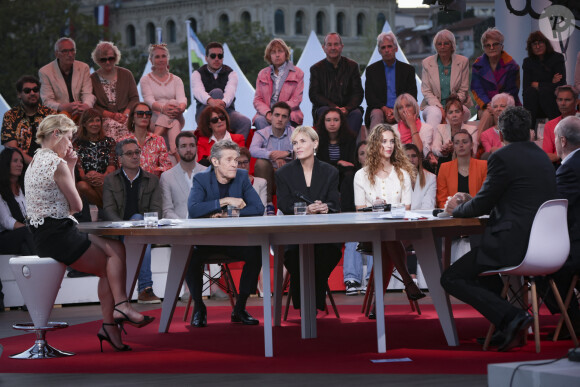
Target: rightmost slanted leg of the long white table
431 266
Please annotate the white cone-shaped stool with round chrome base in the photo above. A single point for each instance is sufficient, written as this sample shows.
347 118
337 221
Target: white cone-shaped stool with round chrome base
39 280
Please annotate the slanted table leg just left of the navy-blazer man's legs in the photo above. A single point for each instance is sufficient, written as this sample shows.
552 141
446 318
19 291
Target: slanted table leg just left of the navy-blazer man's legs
178 261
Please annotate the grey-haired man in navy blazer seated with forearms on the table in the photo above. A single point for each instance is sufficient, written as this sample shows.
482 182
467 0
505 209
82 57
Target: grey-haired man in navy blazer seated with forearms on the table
219 186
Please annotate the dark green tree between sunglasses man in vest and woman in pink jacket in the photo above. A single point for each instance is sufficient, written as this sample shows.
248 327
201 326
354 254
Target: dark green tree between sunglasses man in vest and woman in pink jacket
247 43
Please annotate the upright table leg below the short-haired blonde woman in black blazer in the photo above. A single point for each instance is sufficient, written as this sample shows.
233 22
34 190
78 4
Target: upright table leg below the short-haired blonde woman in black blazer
307 293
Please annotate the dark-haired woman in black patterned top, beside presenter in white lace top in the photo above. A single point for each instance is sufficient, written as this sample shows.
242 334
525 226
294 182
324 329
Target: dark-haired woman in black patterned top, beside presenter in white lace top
96 157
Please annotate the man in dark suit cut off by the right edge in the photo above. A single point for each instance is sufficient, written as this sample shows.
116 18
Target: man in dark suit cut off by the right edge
567 139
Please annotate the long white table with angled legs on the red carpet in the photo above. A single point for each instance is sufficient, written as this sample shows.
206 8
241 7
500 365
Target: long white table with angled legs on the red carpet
305 231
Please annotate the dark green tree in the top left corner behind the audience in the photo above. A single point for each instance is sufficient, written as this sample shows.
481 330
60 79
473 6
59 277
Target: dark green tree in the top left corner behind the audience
29 29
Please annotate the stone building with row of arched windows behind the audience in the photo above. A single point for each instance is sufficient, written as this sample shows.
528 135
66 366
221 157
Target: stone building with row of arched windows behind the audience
358 21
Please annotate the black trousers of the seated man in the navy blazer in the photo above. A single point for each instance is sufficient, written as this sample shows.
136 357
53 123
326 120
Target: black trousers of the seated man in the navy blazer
251 255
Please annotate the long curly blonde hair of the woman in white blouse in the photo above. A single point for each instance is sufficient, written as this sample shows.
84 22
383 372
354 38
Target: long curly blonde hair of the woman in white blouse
374 160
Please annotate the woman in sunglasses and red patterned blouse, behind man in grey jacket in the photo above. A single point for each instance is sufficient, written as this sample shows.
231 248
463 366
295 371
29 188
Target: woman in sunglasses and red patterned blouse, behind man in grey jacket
154 156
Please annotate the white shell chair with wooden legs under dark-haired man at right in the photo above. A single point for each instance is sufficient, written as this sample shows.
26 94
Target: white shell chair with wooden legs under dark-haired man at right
548 249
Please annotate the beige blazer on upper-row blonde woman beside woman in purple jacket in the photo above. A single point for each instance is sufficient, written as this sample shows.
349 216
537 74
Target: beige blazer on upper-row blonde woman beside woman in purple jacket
431 86
